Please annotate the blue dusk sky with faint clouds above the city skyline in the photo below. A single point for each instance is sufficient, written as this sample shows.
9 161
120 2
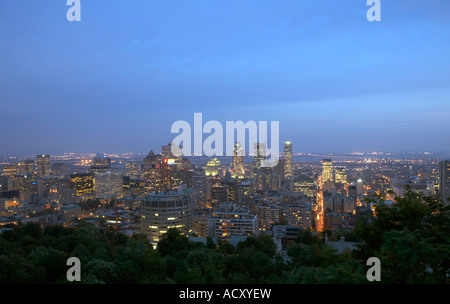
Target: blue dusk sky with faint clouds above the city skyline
116 81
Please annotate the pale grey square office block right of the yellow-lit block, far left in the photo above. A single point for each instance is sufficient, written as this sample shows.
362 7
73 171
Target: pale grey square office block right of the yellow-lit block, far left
108 184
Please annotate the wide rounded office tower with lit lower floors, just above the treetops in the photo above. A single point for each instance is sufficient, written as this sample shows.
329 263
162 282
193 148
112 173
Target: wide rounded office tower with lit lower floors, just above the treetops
162 211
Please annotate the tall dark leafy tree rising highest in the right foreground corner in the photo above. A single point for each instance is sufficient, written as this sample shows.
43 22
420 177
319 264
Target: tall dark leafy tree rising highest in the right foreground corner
411 238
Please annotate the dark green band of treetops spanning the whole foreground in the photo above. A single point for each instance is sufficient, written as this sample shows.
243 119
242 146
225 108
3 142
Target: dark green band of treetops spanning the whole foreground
412 240
